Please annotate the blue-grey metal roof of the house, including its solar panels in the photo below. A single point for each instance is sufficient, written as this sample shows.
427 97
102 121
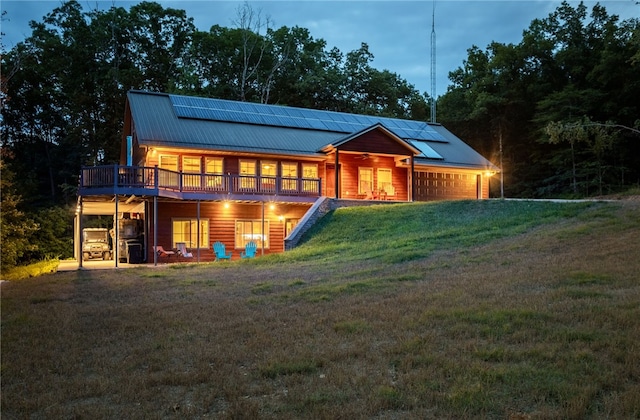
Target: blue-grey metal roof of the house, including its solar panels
167 120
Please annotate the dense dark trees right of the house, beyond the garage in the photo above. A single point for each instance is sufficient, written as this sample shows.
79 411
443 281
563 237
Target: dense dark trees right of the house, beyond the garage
559 111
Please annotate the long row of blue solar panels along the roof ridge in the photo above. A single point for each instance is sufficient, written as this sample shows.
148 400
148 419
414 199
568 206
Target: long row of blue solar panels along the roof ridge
290 117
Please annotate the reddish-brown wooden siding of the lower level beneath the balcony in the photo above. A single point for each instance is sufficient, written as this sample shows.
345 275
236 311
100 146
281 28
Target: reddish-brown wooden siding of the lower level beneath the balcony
222 224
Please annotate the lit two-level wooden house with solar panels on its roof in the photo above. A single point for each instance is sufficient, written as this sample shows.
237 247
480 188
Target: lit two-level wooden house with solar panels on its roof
198 170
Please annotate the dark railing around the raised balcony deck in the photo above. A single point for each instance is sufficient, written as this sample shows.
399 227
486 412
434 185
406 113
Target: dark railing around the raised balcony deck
153 178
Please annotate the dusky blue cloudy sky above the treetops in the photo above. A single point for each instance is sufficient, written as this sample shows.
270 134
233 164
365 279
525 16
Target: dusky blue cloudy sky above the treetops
398 32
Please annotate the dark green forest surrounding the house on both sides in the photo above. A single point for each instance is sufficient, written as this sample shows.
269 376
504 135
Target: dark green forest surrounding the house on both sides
559 112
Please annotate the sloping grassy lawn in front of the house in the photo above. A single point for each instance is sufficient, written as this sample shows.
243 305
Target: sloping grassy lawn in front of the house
473 309
